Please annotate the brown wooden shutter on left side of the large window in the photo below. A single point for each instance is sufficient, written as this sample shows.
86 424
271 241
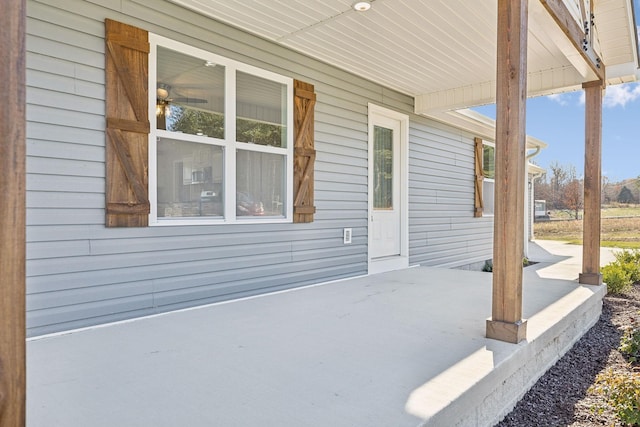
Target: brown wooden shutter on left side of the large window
127 74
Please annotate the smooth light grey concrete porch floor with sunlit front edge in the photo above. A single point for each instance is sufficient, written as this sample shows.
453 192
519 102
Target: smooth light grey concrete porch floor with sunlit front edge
404 348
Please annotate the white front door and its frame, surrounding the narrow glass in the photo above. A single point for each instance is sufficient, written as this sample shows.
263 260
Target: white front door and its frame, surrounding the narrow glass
378 265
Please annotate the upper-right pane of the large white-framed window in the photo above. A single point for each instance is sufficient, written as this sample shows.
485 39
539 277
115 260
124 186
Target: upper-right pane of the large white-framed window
261 108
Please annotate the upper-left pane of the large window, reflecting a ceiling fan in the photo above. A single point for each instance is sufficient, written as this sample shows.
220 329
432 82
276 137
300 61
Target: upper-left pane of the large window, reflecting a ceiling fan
190 94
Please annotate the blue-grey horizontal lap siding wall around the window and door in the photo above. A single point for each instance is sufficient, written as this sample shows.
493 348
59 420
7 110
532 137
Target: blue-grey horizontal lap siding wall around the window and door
80 273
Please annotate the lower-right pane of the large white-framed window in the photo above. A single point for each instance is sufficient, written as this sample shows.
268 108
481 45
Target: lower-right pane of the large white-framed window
260 184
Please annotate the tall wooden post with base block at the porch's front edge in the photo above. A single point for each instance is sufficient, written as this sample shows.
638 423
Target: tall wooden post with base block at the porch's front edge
506 322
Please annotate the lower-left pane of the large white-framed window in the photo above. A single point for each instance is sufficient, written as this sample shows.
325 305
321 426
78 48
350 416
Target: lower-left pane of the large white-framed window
190 179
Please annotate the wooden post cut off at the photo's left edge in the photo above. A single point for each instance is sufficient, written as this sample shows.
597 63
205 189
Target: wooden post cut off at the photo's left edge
12 214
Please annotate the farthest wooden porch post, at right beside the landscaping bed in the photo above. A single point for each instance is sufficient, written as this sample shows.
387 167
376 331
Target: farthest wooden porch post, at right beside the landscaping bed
592 184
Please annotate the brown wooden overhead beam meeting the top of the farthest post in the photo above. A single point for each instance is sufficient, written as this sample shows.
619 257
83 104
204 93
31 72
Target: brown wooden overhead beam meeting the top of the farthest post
578 35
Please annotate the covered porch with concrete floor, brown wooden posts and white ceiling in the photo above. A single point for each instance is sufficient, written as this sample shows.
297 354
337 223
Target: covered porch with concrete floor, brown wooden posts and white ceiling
400 348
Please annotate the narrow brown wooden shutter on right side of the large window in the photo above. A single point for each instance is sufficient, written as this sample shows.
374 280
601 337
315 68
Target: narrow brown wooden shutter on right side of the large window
304 100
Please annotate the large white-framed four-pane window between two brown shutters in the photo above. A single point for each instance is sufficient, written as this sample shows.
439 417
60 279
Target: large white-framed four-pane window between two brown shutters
222 147
